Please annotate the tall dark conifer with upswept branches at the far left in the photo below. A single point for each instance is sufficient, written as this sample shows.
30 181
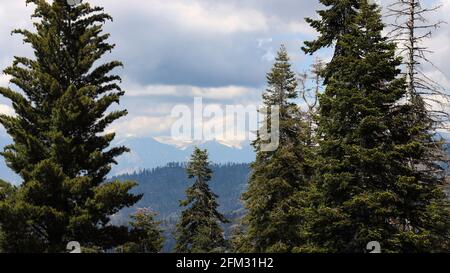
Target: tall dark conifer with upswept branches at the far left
59 146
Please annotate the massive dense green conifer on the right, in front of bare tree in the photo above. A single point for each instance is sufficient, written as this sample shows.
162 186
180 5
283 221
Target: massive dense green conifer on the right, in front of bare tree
366 188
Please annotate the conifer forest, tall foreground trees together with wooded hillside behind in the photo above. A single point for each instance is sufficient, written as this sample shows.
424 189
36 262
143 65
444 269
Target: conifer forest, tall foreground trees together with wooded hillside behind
362 152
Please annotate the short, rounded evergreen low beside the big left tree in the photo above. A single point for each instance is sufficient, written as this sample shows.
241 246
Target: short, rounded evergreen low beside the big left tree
146 235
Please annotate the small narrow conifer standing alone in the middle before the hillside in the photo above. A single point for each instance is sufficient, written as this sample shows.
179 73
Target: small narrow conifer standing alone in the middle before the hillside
199 228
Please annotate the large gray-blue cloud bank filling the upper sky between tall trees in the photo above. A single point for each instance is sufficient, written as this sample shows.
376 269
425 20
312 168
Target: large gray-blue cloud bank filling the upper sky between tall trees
168 42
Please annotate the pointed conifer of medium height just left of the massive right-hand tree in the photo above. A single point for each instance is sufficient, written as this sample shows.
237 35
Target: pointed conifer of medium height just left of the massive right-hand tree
272 220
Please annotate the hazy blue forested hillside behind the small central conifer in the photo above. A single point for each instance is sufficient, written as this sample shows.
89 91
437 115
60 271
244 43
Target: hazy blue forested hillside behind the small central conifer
163 188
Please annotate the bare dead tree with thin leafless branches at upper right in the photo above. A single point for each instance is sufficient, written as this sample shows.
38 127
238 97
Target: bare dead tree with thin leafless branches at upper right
410 27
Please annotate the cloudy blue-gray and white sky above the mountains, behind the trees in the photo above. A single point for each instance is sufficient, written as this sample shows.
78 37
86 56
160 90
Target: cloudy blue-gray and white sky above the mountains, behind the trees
175 50
